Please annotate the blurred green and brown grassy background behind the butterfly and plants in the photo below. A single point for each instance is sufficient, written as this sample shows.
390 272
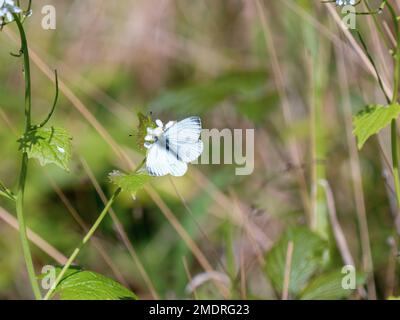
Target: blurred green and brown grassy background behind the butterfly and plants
281 67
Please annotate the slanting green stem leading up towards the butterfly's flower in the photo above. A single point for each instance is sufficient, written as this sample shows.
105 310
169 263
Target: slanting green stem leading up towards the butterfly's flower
83 242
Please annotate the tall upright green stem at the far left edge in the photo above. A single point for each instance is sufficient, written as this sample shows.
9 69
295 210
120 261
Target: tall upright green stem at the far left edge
24 166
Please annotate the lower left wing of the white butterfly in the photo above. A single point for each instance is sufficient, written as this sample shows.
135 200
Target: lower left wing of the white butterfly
160 161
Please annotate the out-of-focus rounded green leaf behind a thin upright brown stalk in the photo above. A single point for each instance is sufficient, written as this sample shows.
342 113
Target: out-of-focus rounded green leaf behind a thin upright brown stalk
307 257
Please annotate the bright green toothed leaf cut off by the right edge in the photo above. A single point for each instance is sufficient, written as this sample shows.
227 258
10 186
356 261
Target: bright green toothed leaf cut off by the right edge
373 119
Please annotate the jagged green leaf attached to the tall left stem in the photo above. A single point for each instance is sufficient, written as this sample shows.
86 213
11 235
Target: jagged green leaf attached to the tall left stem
48 145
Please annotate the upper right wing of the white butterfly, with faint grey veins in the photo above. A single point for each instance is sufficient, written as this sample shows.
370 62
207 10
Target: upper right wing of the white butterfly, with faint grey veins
183 139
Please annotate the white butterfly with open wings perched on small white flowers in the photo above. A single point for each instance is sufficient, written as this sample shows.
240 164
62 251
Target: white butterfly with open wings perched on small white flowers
173 146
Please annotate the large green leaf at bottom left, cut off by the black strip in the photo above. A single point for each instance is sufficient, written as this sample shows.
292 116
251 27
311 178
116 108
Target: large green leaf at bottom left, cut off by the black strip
79 284
